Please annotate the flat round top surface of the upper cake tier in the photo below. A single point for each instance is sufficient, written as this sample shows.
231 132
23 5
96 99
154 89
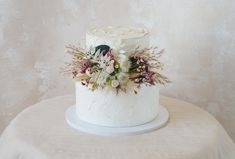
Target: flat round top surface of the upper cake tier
118 32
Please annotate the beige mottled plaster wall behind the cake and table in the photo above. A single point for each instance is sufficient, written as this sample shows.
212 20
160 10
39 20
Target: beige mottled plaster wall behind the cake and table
198 35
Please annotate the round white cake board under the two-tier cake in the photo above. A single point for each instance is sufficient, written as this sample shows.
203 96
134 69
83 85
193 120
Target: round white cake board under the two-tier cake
80 125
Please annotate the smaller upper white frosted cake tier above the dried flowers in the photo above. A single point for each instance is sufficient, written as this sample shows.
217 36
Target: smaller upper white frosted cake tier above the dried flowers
119 38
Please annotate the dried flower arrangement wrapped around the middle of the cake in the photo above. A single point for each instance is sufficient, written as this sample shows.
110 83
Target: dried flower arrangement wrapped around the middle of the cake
103 67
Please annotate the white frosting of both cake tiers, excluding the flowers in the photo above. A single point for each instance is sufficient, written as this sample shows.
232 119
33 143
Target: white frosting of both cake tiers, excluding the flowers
108 108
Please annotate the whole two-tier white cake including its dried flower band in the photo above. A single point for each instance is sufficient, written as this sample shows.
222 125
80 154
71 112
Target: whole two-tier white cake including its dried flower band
117 82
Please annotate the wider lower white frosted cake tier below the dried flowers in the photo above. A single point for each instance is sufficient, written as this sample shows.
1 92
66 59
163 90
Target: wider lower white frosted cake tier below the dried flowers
109 109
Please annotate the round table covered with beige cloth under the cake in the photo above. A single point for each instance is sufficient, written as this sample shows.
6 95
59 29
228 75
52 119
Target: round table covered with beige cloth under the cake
41 132
